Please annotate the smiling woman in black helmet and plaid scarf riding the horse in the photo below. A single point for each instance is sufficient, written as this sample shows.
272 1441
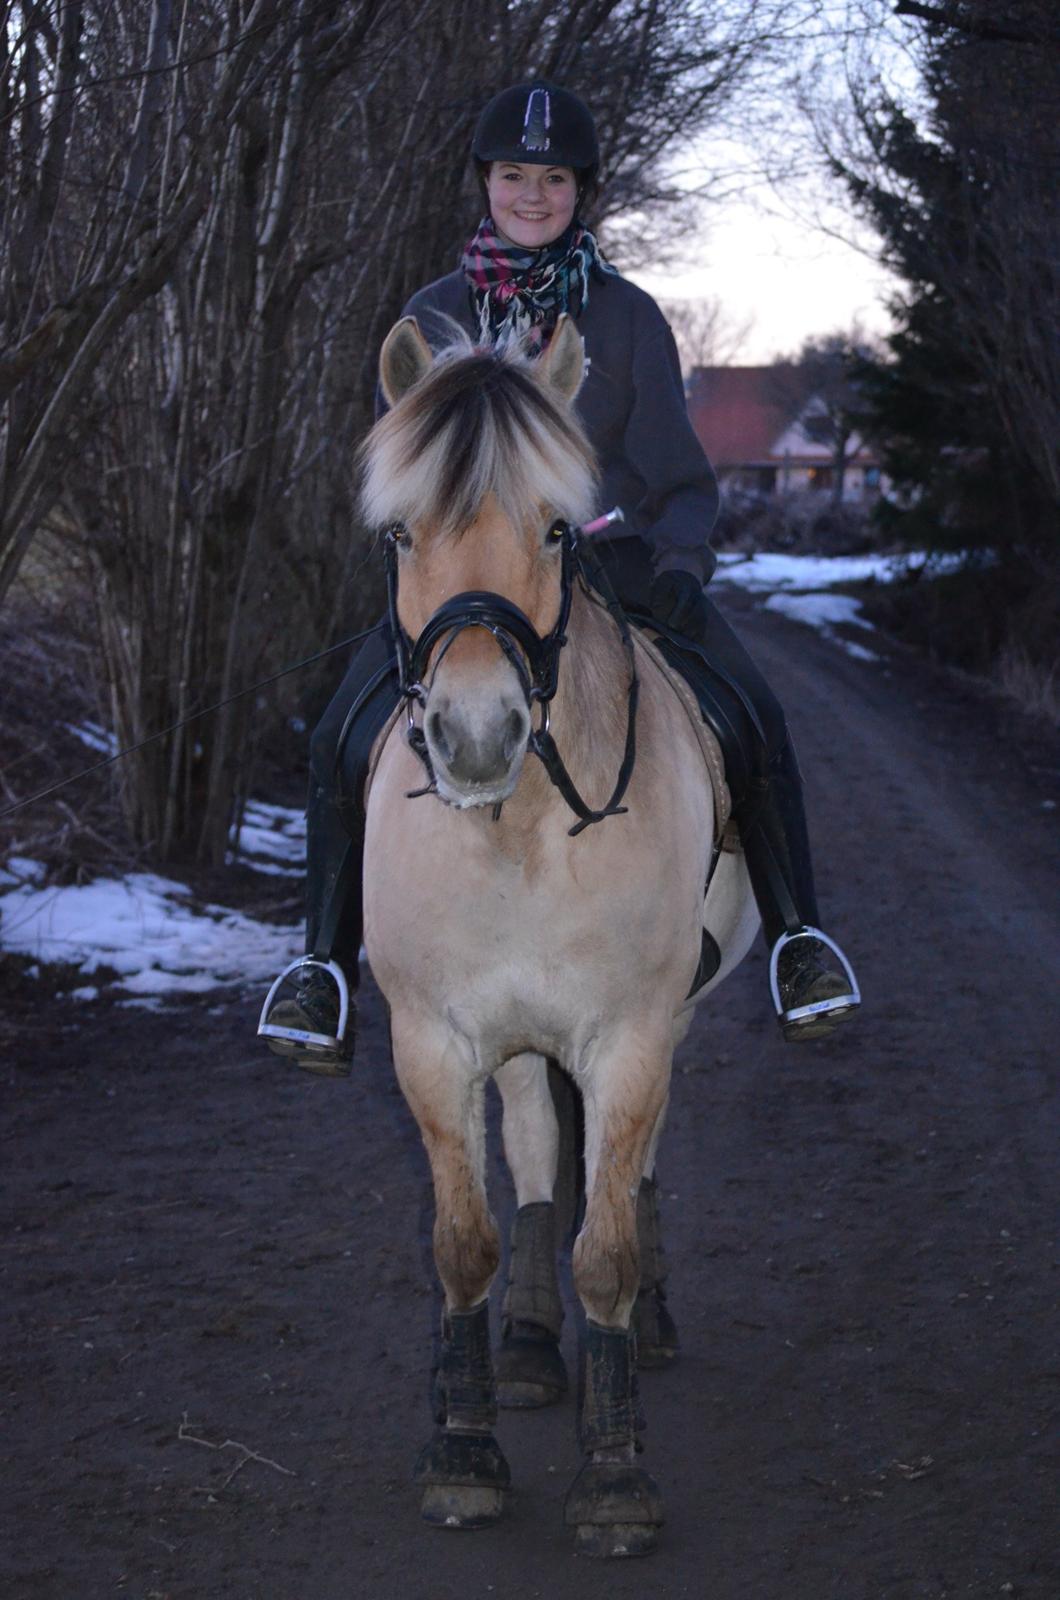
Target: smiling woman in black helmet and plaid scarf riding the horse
532 258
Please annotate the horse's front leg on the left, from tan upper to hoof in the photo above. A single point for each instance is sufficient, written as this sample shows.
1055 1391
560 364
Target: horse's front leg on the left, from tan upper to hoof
462 1470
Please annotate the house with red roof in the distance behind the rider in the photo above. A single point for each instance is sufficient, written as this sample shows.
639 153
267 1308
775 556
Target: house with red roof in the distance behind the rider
769 433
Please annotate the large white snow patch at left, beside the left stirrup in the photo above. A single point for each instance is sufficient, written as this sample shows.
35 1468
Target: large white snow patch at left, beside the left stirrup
145 929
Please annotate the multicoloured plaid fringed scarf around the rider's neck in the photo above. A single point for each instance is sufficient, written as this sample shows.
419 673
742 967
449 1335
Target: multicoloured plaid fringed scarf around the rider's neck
520 292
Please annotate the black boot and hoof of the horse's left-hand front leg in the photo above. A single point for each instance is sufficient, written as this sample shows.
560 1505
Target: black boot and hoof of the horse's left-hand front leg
462 1470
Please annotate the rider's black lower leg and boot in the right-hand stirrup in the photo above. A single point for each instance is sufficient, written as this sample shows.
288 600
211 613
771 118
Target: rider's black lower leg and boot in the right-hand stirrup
813 983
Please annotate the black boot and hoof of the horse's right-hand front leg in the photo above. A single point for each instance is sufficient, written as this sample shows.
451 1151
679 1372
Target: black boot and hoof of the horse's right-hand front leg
614 1506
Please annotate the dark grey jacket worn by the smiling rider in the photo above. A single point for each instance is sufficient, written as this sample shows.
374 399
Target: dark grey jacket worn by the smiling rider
633 409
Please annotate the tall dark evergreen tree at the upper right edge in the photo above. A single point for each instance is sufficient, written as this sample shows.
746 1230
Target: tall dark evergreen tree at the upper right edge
966 204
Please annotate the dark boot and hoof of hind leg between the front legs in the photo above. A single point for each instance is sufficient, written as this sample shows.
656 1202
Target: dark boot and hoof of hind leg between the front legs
531 1370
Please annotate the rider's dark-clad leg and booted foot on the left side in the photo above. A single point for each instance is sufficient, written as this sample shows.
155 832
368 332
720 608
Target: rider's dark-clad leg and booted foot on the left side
334 857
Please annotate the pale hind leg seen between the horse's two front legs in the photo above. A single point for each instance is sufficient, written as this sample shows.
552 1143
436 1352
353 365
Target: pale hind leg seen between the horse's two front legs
531 1370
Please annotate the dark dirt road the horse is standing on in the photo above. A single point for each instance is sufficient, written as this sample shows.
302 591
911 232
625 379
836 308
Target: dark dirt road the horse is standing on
204 1252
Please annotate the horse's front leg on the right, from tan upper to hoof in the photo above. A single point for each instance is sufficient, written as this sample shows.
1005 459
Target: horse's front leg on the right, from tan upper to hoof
616 1506
